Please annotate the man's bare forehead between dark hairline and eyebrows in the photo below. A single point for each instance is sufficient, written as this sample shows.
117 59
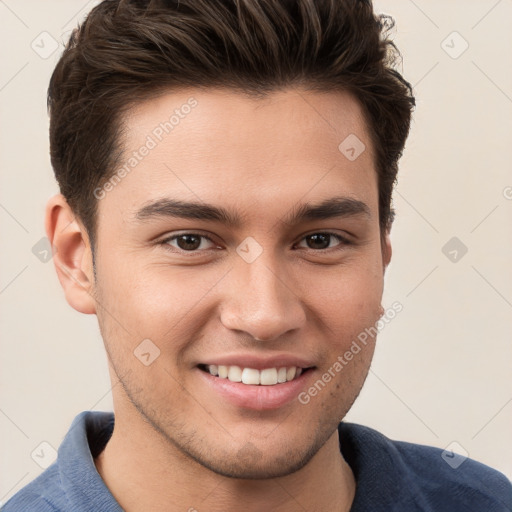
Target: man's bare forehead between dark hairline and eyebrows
220 146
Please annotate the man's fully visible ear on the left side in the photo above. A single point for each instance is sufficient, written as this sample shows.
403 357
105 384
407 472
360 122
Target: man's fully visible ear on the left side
72 254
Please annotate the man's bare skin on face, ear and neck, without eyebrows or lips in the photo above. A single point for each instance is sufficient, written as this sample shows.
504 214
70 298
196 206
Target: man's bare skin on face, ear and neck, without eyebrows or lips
261 158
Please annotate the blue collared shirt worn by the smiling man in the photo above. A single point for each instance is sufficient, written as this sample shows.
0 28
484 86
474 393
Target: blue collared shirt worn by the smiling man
391 476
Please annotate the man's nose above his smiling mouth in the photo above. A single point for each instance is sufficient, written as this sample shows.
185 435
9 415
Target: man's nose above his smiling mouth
261 301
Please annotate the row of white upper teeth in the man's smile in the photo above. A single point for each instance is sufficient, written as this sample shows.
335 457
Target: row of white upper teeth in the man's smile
251 376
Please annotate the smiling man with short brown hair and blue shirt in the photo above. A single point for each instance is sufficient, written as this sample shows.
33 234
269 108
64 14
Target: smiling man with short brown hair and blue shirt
226 170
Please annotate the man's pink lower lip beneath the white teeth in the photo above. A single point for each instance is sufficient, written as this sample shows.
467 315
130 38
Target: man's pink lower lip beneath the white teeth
257 397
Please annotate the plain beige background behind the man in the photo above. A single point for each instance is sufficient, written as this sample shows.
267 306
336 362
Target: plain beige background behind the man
442 370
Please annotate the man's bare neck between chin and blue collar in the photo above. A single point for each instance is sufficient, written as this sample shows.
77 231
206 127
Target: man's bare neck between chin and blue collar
144 471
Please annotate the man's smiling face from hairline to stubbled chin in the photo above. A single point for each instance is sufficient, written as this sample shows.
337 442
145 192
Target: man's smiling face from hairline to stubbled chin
278 263
